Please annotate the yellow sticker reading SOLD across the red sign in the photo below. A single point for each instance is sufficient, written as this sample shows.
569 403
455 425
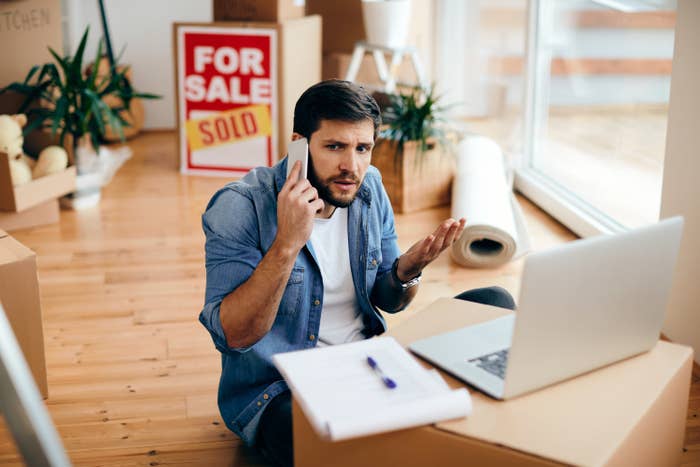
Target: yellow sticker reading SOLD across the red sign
229 127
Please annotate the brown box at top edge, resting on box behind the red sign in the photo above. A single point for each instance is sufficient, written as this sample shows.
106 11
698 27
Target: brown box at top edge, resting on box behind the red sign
257 10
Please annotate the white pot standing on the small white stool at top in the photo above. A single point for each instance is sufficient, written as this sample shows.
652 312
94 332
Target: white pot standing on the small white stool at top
387 22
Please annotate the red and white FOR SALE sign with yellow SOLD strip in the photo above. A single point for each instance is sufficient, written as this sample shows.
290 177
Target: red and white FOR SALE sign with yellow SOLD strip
227 102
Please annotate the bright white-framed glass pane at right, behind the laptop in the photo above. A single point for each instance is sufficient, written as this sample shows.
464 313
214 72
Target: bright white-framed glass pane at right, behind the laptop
600 86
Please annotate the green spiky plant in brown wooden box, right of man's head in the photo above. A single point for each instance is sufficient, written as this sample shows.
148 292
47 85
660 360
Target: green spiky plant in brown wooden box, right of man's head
414 152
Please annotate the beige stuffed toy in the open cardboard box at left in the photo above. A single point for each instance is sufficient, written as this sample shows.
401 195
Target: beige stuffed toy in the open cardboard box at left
22 167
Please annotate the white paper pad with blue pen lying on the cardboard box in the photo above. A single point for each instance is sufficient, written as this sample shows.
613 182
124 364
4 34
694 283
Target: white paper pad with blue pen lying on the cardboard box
344 398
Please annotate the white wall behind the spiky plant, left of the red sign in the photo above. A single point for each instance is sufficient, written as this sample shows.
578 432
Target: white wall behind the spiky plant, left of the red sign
145 29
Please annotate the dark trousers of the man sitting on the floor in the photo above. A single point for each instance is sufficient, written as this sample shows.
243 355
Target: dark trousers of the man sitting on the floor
275 430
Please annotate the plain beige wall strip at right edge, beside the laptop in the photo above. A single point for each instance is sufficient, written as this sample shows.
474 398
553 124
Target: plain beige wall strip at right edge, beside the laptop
681 190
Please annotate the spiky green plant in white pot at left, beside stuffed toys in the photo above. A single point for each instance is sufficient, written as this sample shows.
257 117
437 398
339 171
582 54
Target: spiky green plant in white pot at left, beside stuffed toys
73 105
